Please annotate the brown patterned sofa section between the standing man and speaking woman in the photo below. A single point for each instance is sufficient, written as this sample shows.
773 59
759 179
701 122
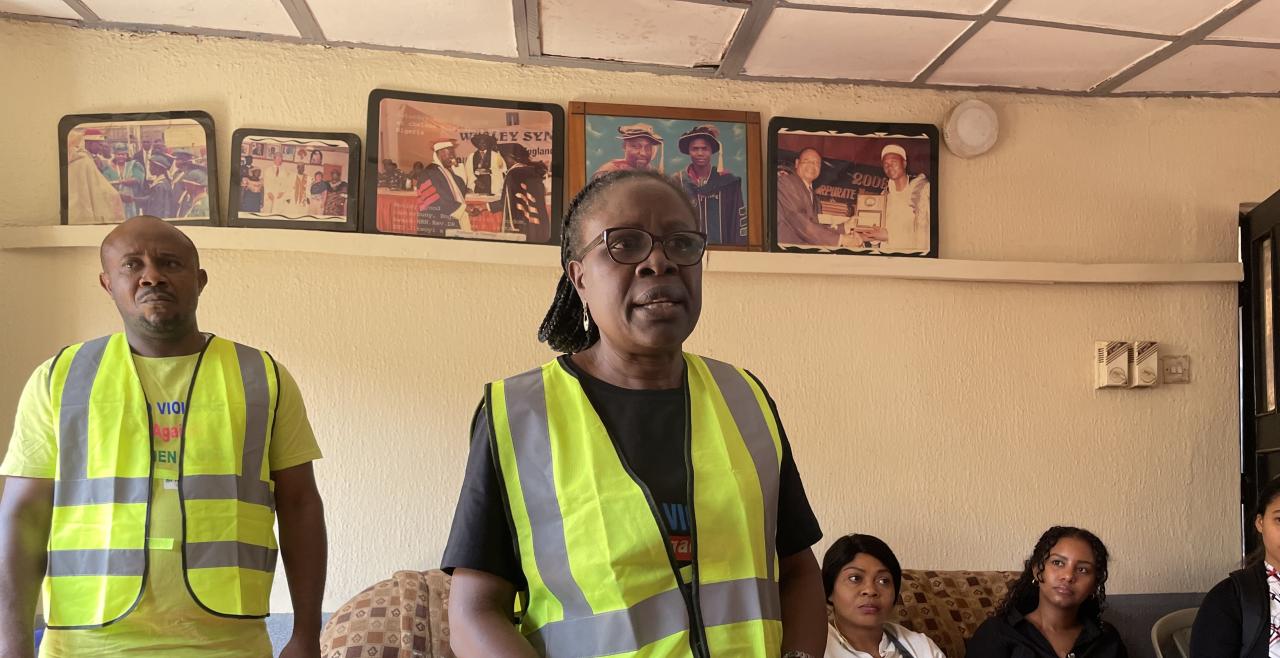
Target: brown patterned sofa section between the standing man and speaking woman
405 616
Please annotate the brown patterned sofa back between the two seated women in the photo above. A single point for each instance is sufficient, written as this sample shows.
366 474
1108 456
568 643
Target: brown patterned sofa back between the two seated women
949 606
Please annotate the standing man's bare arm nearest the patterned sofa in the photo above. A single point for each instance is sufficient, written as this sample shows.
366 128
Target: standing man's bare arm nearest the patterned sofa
305 550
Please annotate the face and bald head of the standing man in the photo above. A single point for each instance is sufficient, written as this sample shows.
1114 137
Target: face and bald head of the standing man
154 277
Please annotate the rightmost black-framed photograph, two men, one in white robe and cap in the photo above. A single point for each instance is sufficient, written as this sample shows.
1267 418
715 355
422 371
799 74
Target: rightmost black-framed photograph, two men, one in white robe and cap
854 188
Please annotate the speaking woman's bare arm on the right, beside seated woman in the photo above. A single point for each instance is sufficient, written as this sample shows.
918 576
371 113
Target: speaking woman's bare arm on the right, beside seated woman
804 606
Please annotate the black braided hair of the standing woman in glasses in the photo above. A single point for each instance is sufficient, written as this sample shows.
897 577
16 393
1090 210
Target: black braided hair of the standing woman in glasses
563 327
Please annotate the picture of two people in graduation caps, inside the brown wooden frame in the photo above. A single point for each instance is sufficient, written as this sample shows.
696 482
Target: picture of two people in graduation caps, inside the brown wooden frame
708 159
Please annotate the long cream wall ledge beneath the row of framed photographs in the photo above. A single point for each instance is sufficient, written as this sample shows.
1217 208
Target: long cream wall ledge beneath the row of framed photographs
719 262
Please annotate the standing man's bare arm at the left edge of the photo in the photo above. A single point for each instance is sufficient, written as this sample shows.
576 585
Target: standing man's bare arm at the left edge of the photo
26 511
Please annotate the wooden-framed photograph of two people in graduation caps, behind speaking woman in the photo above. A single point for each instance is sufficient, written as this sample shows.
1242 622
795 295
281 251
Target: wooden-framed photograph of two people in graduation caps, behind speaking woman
712 154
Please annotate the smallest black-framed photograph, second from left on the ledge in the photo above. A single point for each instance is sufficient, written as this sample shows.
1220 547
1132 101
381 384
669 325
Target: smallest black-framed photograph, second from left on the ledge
295 180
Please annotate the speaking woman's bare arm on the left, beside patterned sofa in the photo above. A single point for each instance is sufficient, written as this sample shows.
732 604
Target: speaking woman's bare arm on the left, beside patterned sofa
481 627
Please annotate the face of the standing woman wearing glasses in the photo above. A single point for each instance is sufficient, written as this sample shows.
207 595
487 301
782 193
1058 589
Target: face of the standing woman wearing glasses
650 308
